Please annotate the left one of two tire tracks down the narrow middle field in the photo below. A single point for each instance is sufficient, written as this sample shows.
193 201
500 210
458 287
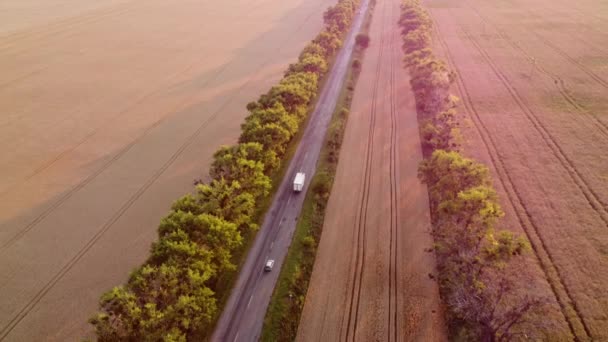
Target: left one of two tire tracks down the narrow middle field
355 296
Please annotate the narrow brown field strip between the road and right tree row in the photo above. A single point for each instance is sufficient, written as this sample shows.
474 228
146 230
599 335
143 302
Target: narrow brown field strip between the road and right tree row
370 280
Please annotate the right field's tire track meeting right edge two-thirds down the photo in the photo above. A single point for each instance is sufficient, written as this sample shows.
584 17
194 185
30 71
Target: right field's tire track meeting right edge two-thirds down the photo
591 196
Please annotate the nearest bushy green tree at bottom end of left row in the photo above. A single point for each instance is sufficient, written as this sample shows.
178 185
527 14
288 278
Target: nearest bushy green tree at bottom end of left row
161 303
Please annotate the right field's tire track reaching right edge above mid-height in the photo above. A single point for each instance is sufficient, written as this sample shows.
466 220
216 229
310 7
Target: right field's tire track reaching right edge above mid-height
557 80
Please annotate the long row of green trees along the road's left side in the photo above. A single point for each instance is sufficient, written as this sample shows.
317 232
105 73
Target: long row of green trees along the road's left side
173 296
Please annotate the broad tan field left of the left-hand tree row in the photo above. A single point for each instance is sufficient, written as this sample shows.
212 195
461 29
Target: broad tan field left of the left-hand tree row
110 110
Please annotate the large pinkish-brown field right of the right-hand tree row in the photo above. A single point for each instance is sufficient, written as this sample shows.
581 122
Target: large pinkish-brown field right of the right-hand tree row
533 79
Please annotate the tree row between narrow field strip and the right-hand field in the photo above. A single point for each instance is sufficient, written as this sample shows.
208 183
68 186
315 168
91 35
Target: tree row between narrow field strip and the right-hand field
472 254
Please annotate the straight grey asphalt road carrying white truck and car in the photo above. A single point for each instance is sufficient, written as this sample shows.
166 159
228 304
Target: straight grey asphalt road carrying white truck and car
244 313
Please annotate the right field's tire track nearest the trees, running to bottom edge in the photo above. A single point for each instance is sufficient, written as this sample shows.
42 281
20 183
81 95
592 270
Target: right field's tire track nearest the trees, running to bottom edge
569 309
